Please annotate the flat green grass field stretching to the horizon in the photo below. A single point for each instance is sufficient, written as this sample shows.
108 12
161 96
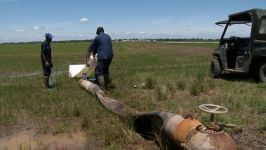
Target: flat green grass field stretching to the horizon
170 77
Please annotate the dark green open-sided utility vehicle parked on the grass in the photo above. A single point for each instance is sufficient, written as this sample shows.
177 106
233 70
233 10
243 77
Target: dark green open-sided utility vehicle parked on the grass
242 47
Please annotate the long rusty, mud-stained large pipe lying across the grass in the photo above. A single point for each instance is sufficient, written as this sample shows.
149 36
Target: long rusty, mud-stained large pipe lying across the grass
175 131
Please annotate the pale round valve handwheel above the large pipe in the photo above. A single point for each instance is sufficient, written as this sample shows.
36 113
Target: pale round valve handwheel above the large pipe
212 108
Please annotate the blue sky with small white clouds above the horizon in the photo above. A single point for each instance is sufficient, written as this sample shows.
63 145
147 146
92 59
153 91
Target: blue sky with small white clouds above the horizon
29 20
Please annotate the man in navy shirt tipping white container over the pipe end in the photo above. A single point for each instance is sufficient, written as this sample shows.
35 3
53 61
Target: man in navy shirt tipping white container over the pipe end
102 46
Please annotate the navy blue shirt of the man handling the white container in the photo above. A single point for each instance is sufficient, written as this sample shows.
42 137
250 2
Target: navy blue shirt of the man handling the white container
102 45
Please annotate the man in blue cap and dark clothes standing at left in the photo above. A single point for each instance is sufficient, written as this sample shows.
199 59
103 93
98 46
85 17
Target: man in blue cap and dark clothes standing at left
46 59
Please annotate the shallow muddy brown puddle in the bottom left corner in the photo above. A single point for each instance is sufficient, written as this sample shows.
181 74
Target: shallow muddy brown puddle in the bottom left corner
28 139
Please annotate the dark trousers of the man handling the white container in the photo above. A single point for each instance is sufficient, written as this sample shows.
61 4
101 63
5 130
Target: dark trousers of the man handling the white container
102 67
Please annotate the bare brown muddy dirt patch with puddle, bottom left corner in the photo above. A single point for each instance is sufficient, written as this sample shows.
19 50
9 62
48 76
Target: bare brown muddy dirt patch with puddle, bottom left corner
27 135
